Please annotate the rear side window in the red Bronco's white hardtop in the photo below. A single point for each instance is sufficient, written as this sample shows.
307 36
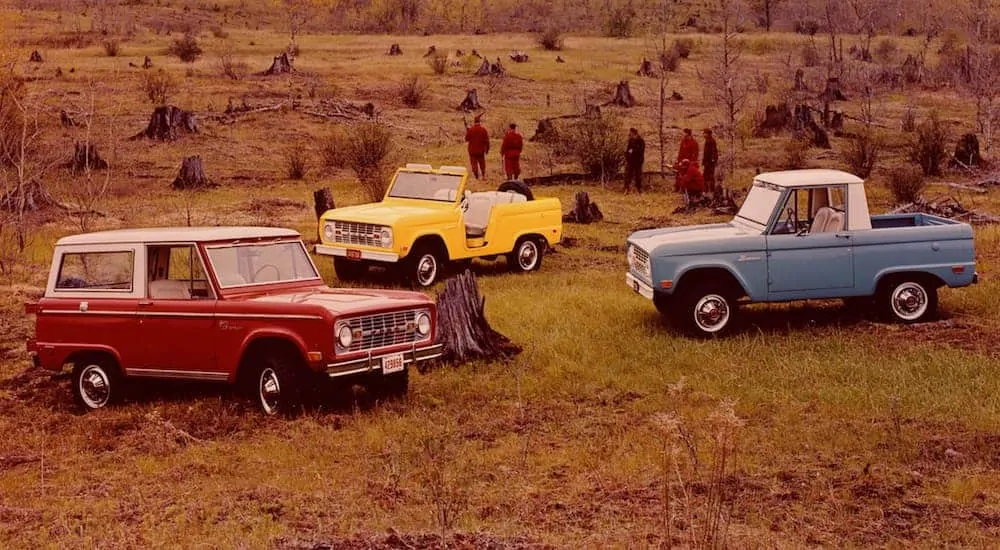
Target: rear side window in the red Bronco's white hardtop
96 271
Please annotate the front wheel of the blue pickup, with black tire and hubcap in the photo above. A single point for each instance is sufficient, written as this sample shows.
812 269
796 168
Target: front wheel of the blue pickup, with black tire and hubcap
705 311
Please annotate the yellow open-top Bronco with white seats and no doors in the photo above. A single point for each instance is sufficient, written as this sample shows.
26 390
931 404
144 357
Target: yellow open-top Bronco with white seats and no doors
428 218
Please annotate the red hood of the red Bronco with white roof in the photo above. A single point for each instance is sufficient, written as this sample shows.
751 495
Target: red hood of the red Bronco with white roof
345 301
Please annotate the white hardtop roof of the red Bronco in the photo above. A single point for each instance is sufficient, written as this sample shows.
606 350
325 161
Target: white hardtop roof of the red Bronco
177 234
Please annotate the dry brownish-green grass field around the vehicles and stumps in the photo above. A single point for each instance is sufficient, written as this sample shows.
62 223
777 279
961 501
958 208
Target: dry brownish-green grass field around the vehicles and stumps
813 427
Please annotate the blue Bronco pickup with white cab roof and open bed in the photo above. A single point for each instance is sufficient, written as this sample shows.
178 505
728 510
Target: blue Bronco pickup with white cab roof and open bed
799 235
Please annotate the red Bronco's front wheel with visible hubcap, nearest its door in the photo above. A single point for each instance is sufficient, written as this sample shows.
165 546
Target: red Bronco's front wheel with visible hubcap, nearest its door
275 385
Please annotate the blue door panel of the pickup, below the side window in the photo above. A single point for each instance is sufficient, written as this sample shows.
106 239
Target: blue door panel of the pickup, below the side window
810 263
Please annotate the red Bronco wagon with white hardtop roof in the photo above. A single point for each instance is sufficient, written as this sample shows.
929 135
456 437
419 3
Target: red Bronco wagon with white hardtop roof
238 305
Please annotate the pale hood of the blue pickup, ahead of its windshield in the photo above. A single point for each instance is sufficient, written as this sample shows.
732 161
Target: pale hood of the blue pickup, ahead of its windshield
697 238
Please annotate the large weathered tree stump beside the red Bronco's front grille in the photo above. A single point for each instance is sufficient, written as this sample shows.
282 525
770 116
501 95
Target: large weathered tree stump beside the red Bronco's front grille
462 327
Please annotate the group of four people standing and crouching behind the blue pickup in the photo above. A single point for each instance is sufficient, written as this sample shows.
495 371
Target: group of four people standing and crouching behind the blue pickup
690 179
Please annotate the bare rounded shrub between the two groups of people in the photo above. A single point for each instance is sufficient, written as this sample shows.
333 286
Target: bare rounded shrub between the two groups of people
598 143
